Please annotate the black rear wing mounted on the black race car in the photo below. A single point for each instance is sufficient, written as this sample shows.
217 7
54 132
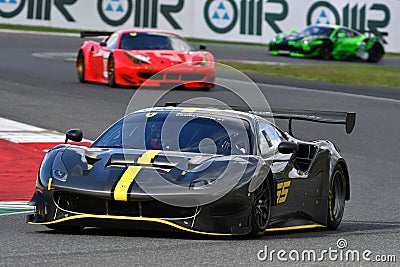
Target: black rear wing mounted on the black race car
331 117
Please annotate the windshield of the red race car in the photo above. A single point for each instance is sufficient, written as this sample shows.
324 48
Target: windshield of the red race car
153 41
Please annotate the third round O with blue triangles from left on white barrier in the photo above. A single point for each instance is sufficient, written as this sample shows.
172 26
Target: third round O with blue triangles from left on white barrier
221 16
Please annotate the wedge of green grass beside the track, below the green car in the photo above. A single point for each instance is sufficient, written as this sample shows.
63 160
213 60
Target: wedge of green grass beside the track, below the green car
336 73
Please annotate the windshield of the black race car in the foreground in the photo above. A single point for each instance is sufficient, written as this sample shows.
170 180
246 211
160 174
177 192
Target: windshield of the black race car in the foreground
185 132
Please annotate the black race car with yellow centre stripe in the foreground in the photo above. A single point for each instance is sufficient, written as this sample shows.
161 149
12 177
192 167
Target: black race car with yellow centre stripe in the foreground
202 170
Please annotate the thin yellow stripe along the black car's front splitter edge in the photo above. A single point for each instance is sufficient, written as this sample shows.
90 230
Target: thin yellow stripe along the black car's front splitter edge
156 220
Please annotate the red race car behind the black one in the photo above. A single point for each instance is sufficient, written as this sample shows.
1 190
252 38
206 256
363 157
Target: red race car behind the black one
131 57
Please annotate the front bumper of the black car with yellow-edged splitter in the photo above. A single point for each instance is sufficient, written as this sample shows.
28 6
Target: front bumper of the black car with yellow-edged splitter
230 215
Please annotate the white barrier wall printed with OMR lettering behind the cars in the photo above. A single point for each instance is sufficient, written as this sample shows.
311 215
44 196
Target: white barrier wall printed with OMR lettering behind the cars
230 20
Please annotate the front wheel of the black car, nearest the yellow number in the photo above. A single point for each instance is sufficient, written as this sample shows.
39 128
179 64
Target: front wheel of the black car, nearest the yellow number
261 209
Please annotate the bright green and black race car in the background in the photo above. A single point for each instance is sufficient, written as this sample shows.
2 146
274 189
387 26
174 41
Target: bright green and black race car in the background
329 41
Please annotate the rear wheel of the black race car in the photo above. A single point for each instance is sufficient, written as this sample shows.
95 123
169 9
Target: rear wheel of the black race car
336 199
